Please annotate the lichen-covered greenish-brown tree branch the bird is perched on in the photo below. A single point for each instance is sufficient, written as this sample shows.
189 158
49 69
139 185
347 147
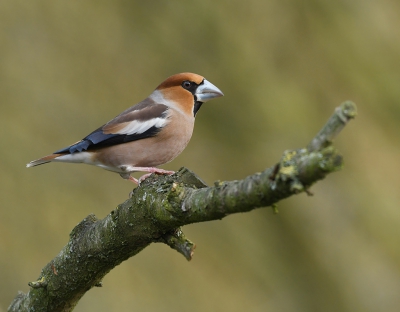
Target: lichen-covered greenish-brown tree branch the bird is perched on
161 205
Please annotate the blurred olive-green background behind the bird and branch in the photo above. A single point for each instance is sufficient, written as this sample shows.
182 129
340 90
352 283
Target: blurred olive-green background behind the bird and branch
66 68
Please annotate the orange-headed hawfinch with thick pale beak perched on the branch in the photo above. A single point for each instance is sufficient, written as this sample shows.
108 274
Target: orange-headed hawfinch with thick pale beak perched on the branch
149 134
